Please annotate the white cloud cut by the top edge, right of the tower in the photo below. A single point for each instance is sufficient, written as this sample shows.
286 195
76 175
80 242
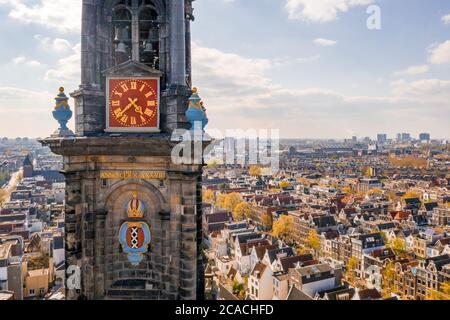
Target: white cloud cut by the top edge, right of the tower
320 10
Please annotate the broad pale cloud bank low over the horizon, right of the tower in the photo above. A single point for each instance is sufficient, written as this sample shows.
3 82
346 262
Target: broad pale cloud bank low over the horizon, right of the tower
240 93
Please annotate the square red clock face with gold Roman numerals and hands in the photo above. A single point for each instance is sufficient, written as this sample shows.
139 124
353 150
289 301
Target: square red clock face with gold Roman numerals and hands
133 103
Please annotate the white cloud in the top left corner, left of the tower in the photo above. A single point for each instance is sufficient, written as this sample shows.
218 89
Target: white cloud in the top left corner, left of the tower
61 15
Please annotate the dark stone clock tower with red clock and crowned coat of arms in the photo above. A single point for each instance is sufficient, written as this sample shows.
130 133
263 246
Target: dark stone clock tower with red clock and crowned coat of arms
133 217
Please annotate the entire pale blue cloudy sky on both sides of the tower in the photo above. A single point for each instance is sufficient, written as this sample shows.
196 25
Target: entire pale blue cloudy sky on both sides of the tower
311 68
